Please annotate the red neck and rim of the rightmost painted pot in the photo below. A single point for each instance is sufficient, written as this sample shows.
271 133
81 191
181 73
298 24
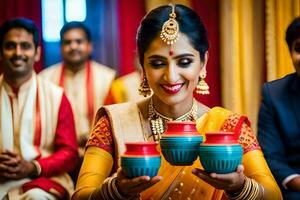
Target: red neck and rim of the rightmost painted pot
221 137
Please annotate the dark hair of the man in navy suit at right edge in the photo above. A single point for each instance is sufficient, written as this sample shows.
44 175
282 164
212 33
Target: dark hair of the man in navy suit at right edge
292 32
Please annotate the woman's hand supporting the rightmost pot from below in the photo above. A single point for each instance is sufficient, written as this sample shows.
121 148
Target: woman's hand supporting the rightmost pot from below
231 182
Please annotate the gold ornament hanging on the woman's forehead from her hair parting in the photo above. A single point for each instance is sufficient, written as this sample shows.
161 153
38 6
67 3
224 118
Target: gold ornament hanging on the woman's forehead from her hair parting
170 29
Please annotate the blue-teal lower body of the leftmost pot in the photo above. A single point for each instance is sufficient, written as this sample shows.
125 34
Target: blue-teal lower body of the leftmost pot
140 166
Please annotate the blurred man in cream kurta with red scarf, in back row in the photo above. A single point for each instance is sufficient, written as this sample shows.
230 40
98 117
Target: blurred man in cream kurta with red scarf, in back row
86 82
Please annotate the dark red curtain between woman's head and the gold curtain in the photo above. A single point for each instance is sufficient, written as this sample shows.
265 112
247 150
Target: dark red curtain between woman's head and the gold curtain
208 10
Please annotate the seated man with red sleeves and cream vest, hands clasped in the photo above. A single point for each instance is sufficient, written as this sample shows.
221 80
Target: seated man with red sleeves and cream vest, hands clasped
37 135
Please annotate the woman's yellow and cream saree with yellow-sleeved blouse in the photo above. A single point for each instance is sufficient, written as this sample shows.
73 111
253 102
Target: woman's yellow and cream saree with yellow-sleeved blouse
178 182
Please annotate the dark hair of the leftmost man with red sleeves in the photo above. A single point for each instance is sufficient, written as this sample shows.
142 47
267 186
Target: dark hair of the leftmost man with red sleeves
23 23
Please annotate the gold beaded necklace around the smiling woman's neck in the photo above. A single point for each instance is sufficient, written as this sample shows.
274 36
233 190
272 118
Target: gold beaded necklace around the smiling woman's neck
158 121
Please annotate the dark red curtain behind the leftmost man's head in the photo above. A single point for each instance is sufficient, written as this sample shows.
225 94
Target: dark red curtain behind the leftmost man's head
22 8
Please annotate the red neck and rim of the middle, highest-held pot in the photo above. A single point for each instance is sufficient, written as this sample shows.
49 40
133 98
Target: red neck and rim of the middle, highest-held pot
181 128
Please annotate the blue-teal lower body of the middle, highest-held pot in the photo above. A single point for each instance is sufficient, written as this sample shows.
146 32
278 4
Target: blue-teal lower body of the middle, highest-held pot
180 151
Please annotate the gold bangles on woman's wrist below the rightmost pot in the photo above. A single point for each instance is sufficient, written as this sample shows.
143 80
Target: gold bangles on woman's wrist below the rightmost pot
250 191
